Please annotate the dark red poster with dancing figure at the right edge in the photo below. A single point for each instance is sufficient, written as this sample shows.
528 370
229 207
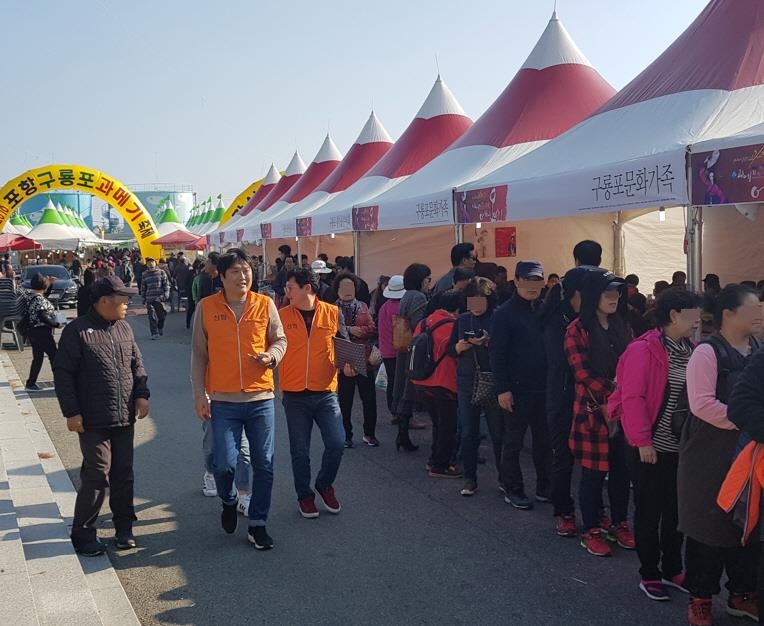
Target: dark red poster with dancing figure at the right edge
728 176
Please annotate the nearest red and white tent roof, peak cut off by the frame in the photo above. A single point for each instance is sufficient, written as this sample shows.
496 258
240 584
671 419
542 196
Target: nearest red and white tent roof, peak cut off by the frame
631 153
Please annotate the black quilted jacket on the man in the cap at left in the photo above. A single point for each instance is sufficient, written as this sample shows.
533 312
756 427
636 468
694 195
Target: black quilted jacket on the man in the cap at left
98 372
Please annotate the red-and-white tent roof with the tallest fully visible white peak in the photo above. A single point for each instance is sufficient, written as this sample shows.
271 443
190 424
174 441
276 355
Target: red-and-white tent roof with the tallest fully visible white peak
554 89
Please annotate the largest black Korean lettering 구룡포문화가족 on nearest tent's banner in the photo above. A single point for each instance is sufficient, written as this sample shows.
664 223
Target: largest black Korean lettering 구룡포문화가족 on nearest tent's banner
634 185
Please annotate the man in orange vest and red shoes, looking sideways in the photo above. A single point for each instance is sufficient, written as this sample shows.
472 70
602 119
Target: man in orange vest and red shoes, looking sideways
308 381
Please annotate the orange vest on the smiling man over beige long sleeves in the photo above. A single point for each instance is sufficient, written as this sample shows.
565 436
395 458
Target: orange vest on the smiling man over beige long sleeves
230 343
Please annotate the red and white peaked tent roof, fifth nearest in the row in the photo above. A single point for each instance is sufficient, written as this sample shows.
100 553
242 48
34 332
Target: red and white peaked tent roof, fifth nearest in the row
325 162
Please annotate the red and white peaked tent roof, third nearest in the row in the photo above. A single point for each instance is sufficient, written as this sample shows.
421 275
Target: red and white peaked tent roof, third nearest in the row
439 122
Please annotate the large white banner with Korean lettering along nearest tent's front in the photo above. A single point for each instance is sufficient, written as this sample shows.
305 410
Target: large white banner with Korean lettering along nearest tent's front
647 182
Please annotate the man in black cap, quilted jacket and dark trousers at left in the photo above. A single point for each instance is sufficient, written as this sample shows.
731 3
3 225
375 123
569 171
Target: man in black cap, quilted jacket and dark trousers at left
102 388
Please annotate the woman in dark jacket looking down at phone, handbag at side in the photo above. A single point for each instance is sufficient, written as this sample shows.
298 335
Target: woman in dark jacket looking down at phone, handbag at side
475 390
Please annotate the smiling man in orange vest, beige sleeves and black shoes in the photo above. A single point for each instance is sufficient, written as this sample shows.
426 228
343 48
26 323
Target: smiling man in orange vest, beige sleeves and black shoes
237 341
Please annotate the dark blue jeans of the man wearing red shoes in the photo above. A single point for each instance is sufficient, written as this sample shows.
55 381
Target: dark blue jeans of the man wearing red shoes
302 409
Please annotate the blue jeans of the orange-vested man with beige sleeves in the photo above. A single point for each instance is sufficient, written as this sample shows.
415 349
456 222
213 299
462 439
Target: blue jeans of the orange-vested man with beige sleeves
256 419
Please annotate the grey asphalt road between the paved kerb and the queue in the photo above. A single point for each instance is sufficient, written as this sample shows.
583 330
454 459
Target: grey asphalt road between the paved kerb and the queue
406 549
